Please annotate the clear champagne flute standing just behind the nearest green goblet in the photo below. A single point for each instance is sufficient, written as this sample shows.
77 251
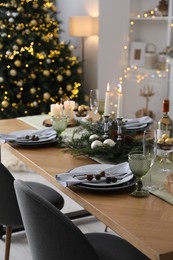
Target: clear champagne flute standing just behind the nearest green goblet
150 149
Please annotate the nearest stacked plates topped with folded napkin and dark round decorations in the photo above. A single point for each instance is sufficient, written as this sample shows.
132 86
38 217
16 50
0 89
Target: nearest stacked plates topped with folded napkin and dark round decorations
99 177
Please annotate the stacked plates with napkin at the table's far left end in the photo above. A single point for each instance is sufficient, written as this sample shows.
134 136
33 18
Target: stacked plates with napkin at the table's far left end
30 137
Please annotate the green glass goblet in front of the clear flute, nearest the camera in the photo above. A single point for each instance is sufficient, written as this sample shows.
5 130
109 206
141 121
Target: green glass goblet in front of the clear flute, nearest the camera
139 164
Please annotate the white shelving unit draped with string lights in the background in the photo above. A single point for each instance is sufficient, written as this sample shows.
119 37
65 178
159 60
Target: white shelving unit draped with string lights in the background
158 30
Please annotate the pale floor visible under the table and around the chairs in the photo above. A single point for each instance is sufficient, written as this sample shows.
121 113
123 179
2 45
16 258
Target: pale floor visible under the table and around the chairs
19 246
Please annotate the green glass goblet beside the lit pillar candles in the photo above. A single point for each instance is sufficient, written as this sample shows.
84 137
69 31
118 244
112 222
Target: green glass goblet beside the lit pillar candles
59 124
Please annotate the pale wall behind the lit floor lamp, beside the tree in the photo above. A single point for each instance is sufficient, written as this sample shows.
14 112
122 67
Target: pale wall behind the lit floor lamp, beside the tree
81 8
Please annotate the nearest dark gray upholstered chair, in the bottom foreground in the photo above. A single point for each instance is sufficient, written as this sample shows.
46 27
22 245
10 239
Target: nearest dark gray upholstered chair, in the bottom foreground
53 236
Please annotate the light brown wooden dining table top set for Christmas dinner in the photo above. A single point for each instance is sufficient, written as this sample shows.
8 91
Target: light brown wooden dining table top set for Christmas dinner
146 223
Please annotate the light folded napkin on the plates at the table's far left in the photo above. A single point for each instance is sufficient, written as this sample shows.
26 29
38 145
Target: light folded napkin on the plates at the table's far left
21 135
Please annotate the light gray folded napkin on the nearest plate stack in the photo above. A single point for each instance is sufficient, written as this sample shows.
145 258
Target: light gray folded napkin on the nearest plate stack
67 179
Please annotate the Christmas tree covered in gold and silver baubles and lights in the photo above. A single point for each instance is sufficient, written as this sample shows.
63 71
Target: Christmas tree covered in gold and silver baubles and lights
36 68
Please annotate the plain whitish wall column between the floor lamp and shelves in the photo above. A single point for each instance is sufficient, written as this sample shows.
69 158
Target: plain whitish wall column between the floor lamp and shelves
112 58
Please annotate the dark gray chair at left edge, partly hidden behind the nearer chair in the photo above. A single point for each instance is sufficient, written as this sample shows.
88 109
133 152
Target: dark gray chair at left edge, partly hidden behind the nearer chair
10 216
